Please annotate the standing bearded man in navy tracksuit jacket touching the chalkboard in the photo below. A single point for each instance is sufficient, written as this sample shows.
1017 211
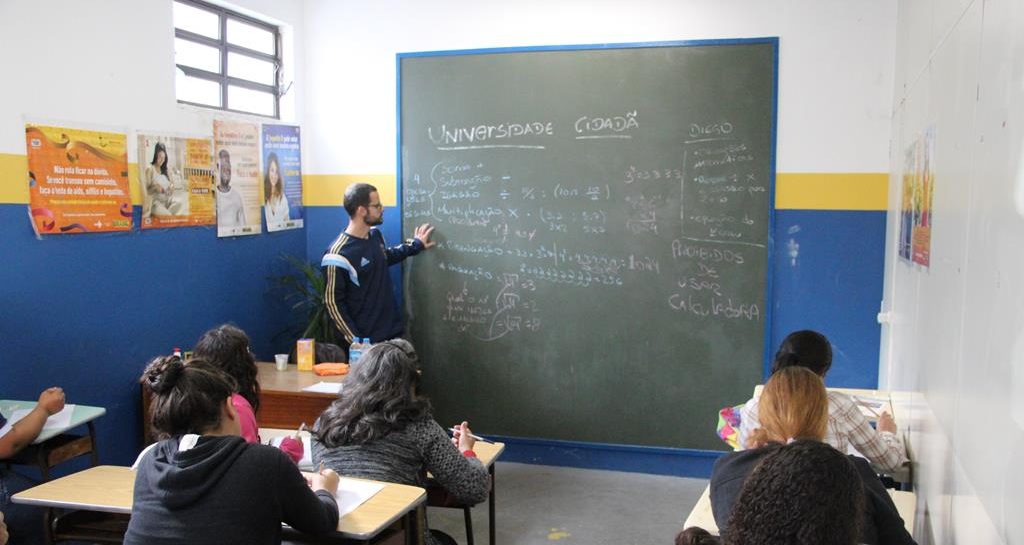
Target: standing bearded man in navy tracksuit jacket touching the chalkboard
359 294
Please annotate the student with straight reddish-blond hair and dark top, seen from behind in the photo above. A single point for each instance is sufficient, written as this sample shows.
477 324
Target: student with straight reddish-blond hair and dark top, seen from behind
795 406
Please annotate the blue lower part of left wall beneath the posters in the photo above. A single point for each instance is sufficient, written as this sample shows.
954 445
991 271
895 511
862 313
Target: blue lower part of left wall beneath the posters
88 312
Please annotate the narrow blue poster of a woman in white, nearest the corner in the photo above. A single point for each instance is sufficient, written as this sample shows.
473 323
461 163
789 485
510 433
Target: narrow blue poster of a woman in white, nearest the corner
282 178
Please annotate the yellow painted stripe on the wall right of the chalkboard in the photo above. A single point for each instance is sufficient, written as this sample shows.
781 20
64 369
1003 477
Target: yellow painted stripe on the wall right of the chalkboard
832 191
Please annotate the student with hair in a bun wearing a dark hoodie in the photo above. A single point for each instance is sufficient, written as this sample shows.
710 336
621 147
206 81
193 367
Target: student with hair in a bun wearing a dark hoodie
203 484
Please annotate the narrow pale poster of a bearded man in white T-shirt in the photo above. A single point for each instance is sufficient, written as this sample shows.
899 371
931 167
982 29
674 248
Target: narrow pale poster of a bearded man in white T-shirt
237 147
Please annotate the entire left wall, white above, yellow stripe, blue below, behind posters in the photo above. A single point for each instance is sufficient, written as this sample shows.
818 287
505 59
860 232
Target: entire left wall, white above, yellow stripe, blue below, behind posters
87 312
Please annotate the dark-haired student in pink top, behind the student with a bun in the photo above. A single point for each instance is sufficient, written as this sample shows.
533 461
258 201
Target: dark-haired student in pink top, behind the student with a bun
228 348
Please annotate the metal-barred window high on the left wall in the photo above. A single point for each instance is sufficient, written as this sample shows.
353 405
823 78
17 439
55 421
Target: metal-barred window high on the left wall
226 60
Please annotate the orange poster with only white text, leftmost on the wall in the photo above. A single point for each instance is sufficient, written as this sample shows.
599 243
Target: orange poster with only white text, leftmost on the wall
78 181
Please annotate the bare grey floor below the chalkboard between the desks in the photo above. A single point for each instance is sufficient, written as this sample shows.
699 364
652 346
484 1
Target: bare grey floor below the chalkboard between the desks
536 505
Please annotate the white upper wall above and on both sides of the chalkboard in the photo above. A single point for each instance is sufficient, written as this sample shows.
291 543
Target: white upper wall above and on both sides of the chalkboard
836 65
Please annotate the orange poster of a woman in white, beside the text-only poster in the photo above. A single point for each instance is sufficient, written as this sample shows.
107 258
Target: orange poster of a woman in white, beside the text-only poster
177 179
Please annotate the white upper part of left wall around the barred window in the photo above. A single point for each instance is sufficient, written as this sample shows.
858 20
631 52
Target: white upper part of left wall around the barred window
111 64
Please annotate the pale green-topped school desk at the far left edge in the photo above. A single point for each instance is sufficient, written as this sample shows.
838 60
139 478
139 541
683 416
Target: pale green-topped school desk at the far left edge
54 446
